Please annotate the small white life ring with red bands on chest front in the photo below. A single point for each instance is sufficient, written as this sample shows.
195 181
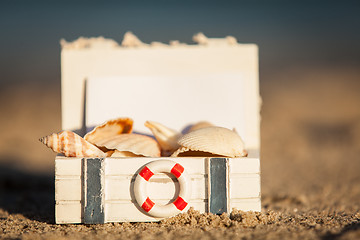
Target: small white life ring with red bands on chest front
145 202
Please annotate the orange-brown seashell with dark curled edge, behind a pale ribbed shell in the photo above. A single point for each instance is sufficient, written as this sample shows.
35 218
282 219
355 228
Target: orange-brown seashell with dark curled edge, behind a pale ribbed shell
109 129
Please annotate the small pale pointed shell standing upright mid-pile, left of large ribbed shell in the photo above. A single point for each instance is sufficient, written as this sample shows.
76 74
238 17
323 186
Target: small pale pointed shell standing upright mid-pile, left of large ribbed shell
166 137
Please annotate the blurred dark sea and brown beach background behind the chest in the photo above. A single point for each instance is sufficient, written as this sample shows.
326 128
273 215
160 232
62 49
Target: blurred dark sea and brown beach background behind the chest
309 82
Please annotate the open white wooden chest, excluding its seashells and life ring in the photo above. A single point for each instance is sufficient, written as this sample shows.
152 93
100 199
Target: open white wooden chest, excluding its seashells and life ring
98 80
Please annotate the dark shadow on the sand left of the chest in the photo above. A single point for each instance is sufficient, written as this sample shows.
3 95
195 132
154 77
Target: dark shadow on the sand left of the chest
27 193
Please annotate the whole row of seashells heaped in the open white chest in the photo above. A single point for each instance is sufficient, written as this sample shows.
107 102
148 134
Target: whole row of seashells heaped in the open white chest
114 139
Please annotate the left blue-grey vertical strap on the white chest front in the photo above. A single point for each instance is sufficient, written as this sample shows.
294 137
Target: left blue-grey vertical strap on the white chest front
93 181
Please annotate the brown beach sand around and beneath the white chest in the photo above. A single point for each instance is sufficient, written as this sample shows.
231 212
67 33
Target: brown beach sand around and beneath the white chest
309 160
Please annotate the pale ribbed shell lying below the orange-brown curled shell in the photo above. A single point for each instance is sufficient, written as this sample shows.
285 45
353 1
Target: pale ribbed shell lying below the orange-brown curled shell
134 143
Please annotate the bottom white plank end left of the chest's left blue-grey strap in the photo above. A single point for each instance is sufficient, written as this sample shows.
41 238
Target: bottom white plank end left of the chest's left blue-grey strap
68 212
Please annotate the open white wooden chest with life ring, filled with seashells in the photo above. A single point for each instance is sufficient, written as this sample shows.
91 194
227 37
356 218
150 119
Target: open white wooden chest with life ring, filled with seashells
173 85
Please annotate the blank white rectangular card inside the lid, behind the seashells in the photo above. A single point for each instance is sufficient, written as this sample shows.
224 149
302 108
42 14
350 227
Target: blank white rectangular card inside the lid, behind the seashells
175 101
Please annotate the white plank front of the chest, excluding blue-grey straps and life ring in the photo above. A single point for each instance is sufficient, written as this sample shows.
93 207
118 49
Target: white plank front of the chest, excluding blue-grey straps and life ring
119 176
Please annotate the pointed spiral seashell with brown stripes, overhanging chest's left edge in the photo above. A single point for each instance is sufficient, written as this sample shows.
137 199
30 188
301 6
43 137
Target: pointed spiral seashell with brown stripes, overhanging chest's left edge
71 145
